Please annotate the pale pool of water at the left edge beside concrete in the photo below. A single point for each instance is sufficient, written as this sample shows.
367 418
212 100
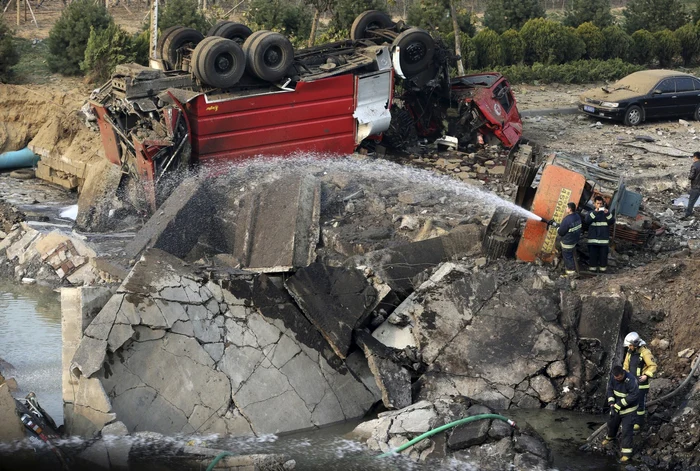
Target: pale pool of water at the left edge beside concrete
30 340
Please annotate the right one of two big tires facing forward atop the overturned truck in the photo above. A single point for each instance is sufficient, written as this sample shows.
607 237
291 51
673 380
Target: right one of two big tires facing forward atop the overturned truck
268 55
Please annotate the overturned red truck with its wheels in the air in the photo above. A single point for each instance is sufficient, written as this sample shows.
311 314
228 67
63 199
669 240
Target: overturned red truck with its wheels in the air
237 94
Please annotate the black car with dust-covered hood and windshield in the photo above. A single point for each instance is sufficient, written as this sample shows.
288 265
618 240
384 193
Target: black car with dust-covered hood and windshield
645 94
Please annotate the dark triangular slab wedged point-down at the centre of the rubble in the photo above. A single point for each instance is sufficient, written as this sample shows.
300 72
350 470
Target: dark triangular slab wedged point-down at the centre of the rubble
336 300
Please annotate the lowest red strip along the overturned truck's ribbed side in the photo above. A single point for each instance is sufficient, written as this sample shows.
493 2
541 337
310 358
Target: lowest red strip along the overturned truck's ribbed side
339 144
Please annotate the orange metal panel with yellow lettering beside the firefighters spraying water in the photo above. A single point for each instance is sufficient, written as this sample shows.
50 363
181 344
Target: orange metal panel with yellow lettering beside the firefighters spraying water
558 186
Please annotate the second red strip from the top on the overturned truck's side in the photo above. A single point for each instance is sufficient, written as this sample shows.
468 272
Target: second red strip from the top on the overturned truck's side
271 116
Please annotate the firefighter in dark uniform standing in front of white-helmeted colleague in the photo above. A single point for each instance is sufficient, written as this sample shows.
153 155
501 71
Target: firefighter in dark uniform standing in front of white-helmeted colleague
623 396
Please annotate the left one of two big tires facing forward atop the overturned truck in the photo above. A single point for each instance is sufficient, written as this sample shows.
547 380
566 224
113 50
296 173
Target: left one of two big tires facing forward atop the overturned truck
219 62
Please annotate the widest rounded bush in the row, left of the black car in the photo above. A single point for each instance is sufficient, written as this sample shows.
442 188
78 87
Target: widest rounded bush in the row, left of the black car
550 42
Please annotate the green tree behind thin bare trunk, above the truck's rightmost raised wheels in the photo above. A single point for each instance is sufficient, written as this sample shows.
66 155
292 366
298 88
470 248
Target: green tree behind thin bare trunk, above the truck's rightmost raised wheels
434 16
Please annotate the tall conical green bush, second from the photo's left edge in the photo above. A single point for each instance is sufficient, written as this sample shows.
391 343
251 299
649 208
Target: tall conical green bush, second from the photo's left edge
69 36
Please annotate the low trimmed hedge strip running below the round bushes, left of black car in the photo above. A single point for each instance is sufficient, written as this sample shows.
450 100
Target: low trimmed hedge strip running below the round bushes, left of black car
582 71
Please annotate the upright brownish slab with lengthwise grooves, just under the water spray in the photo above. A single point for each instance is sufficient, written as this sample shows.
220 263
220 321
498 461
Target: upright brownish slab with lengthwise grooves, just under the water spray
278 228
